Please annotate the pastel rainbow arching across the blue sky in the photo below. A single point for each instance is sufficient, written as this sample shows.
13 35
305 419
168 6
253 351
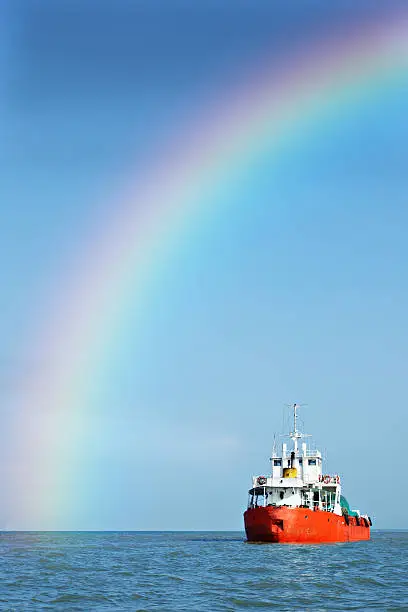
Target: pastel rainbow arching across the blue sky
268 107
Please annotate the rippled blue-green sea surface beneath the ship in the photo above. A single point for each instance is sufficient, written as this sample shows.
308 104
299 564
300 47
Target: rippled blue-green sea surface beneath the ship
195 571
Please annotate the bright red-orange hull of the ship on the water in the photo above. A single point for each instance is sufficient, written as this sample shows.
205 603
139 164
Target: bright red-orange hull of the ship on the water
302 525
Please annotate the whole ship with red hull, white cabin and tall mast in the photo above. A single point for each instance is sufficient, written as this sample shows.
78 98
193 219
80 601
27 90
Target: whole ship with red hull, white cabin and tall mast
297 503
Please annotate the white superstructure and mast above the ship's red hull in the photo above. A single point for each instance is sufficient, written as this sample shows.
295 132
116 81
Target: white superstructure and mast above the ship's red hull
296 479
